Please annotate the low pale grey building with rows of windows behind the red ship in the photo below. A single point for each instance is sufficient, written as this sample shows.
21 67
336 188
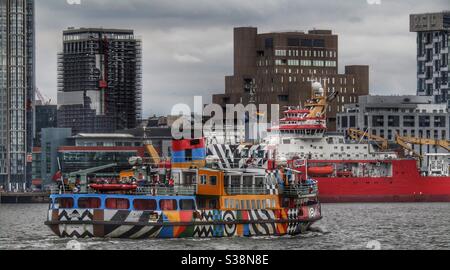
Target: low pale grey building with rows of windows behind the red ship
385 116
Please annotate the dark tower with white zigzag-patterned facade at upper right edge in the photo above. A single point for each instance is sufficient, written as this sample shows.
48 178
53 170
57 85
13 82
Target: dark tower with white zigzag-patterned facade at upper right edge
433 36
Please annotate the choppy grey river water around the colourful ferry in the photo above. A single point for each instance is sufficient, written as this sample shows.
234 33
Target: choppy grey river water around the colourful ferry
345 226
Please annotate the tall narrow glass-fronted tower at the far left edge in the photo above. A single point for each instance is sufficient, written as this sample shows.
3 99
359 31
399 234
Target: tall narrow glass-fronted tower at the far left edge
17 90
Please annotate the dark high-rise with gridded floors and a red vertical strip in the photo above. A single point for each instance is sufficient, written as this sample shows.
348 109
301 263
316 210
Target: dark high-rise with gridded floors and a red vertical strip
99 80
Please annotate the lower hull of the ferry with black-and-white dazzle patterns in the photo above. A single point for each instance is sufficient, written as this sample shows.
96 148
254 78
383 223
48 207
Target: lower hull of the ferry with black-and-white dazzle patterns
181 224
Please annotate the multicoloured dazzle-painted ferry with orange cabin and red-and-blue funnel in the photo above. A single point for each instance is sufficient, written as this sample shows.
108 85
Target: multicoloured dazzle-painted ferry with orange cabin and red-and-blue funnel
185 198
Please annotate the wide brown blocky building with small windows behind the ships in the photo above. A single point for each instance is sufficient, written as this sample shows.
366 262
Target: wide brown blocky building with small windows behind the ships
282 66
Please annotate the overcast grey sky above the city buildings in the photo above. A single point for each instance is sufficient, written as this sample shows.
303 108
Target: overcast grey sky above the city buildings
188 44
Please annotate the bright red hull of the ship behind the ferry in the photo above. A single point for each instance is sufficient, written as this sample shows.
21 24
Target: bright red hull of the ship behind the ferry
405 185
